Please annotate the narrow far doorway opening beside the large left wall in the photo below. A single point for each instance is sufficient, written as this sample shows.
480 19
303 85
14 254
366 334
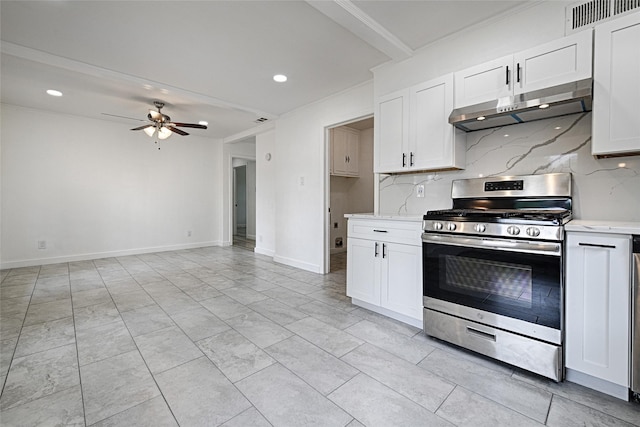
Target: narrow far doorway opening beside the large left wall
244 203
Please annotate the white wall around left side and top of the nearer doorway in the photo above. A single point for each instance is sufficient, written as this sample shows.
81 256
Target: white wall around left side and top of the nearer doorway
299 159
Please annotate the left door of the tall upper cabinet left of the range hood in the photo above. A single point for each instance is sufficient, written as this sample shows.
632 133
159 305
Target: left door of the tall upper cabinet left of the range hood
392 132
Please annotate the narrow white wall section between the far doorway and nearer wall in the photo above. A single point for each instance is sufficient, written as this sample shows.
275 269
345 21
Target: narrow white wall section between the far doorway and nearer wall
265 194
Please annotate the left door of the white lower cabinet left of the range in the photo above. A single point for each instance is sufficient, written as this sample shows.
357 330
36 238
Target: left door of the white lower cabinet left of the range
363 270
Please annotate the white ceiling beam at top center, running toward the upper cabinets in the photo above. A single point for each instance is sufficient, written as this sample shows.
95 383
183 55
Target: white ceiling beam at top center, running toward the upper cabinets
354 19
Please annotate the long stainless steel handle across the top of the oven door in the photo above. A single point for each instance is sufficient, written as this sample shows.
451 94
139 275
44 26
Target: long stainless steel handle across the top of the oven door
525 246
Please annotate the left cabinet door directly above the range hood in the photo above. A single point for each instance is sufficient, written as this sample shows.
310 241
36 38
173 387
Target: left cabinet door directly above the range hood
484 82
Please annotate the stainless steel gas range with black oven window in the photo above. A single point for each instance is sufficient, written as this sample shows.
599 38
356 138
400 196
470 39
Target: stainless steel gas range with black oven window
493 269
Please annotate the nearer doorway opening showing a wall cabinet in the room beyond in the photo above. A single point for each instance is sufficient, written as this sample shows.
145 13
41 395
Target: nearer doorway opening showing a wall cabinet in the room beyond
350 185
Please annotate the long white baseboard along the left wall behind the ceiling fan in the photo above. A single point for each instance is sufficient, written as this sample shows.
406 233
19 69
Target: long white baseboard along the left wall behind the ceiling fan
107 254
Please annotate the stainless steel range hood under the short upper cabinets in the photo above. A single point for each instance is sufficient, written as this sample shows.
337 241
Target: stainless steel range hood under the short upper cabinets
569 98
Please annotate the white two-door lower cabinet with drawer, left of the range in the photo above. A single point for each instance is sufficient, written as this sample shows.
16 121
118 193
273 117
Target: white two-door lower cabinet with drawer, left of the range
384 268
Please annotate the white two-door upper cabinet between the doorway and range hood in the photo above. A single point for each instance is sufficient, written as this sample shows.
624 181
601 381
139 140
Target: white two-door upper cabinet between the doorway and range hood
413 131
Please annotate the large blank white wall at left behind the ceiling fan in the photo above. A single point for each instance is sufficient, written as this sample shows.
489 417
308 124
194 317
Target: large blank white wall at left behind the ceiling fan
92 188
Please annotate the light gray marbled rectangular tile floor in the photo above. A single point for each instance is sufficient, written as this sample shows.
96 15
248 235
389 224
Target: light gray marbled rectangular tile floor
222 336
